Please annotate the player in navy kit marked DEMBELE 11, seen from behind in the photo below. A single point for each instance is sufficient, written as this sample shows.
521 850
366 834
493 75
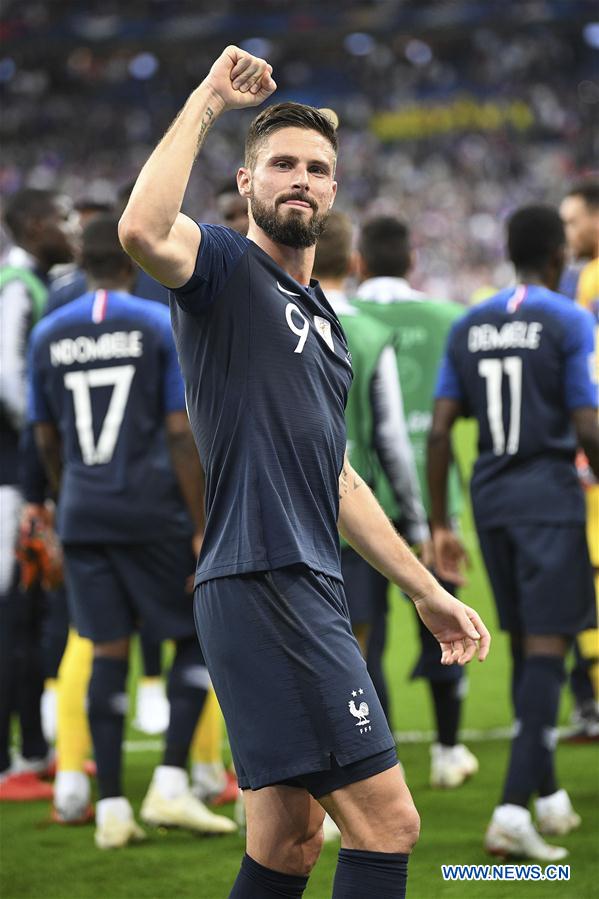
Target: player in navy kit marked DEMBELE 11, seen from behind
521 364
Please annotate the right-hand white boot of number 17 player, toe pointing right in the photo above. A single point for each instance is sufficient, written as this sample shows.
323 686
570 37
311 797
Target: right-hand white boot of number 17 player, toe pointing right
169 802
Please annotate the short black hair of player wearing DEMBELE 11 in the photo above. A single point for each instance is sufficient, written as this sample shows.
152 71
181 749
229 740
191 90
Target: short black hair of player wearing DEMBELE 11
534 235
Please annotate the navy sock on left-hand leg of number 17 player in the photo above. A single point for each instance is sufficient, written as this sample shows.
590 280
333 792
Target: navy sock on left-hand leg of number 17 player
107 706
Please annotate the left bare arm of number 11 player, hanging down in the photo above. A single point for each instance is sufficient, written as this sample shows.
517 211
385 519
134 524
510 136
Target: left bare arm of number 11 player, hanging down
449 553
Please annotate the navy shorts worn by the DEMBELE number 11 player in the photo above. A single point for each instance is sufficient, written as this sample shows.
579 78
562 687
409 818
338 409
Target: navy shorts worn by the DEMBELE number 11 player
541 577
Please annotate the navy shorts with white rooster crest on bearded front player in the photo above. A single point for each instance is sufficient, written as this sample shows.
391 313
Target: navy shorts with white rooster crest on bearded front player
290 679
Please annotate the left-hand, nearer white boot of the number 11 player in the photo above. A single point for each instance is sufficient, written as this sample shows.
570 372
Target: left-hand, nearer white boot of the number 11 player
512 833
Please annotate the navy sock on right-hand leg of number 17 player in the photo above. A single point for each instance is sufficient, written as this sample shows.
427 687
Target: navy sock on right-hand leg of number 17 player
187 684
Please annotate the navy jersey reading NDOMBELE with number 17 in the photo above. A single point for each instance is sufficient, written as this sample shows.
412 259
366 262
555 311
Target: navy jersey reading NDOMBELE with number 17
104 369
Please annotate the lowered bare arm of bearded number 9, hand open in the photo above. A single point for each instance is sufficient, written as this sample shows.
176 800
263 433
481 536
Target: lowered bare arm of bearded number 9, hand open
362 522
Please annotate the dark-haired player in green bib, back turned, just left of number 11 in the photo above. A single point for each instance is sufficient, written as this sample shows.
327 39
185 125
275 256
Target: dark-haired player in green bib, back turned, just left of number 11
419 326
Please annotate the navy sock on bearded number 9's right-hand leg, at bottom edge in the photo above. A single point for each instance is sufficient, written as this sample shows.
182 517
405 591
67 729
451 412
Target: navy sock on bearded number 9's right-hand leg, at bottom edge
370 875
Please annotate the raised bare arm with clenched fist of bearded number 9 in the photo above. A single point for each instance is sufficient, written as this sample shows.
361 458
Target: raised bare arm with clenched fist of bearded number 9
153 230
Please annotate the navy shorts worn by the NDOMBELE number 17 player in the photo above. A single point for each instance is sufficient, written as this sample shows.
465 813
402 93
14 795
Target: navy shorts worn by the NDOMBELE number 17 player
113 589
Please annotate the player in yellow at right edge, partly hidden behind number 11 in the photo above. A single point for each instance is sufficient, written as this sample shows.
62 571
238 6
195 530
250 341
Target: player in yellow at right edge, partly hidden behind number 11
580 214
